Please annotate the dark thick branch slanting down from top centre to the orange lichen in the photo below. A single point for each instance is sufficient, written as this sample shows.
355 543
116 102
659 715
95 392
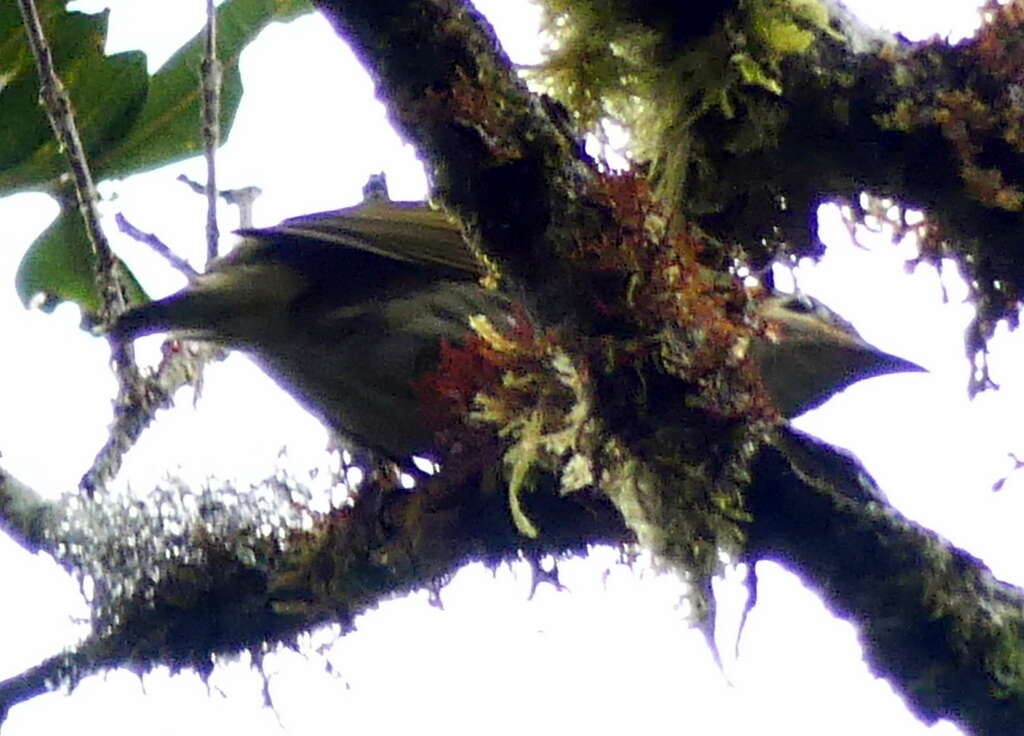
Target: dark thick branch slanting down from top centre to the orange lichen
498 156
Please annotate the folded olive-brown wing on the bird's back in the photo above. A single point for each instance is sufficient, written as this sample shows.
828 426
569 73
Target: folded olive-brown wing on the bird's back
410 232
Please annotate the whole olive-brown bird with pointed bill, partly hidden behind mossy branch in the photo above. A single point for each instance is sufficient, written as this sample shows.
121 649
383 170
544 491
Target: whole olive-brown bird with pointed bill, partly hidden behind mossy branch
345 310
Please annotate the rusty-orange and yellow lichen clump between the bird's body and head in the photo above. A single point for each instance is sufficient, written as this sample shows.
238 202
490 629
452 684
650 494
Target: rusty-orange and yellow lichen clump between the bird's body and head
660 311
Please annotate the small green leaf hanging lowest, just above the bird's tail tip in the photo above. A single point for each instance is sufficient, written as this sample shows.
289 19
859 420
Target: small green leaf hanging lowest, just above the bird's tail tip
61 266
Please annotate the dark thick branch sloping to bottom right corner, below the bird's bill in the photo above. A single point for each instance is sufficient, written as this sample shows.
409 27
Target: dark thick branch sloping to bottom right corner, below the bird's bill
933 621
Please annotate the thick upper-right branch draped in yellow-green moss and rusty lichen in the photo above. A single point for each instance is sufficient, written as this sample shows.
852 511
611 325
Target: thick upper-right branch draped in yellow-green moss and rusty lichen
752 124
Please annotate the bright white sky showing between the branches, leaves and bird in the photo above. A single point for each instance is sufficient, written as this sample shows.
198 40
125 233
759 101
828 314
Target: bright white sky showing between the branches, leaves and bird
613 655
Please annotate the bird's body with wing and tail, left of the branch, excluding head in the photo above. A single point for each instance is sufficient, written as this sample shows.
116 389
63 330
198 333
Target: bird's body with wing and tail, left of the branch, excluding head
339 324
